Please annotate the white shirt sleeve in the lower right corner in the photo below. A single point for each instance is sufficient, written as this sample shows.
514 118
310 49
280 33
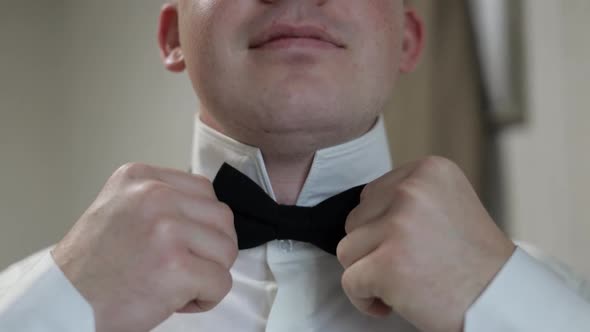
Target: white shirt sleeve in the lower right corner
527 296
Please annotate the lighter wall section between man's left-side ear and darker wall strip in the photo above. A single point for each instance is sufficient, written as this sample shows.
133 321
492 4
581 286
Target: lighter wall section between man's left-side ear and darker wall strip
121 104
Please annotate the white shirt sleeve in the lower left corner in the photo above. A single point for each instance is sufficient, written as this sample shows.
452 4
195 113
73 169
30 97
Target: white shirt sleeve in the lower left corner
35 296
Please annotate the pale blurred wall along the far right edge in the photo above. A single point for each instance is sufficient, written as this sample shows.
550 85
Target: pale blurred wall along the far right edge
547 162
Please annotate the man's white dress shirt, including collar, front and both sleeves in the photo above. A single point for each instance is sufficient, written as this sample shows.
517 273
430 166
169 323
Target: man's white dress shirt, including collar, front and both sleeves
290 286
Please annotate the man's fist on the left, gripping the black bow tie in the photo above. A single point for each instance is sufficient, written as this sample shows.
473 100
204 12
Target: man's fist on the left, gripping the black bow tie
155 242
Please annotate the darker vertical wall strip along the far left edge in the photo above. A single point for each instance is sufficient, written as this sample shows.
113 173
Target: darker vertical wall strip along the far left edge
31 128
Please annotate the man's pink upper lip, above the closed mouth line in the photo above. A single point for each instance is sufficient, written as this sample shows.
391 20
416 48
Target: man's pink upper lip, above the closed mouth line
278 31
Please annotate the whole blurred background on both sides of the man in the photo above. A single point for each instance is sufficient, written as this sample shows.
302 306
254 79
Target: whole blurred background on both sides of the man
502 90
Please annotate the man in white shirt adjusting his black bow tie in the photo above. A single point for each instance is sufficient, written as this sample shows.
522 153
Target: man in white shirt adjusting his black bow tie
291 96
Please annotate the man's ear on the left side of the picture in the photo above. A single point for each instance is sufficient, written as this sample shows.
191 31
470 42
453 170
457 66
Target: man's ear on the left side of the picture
169 39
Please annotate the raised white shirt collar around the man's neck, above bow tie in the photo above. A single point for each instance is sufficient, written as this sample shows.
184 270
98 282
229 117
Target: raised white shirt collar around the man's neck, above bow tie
333 170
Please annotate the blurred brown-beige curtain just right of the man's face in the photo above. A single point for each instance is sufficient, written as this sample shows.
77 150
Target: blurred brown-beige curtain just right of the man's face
438 109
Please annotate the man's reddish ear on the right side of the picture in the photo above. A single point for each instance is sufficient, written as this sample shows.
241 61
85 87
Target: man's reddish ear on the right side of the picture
413 42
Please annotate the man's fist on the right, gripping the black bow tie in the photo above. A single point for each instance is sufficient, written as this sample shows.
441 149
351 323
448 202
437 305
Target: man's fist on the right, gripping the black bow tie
421 243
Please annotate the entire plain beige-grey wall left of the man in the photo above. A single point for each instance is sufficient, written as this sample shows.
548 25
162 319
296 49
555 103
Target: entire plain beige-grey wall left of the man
82 92
